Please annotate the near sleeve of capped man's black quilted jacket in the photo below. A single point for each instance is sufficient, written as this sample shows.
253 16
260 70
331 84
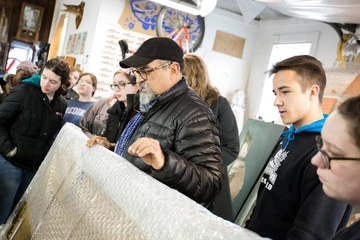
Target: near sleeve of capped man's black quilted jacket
194 167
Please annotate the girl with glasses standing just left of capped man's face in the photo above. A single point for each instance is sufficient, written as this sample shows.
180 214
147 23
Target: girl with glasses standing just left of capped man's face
105 129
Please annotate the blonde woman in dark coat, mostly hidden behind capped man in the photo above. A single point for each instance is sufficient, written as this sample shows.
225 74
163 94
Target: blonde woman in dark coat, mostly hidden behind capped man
198 79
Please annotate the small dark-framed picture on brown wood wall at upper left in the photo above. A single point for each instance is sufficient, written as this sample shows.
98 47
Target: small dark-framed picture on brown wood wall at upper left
29 23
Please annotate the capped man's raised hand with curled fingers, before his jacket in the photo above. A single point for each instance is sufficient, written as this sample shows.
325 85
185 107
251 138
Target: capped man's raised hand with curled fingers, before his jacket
149 150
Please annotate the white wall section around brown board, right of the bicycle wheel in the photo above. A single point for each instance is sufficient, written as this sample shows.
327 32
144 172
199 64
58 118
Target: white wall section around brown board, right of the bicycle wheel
228 73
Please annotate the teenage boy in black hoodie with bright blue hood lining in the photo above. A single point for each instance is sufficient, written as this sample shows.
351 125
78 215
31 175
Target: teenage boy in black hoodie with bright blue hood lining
291 203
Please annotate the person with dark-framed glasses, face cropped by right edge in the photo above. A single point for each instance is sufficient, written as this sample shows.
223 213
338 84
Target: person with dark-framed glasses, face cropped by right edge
338 159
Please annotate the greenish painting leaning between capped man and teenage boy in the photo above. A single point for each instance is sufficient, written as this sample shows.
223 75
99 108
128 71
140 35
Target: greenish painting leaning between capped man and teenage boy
257 140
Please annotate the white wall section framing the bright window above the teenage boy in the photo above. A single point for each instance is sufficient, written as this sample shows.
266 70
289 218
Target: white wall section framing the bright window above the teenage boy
325 52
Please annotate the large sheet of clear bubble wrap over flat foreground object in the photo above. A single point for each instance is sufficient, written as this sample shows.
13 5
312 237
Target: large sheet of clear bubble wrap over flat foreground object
92 193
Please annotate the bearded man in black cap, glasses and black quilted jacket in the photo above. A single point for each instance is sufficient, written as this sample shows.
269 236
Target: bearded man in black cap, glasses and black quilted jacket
174 137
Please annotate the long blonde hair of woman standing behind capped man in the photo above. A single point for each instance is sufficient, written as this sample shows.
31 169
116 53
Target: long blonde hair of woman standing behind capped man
198 79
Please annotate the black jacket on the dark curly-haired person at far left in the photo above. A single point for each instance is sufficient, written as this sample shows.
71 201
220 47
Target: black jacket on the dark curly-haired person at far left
29 122
